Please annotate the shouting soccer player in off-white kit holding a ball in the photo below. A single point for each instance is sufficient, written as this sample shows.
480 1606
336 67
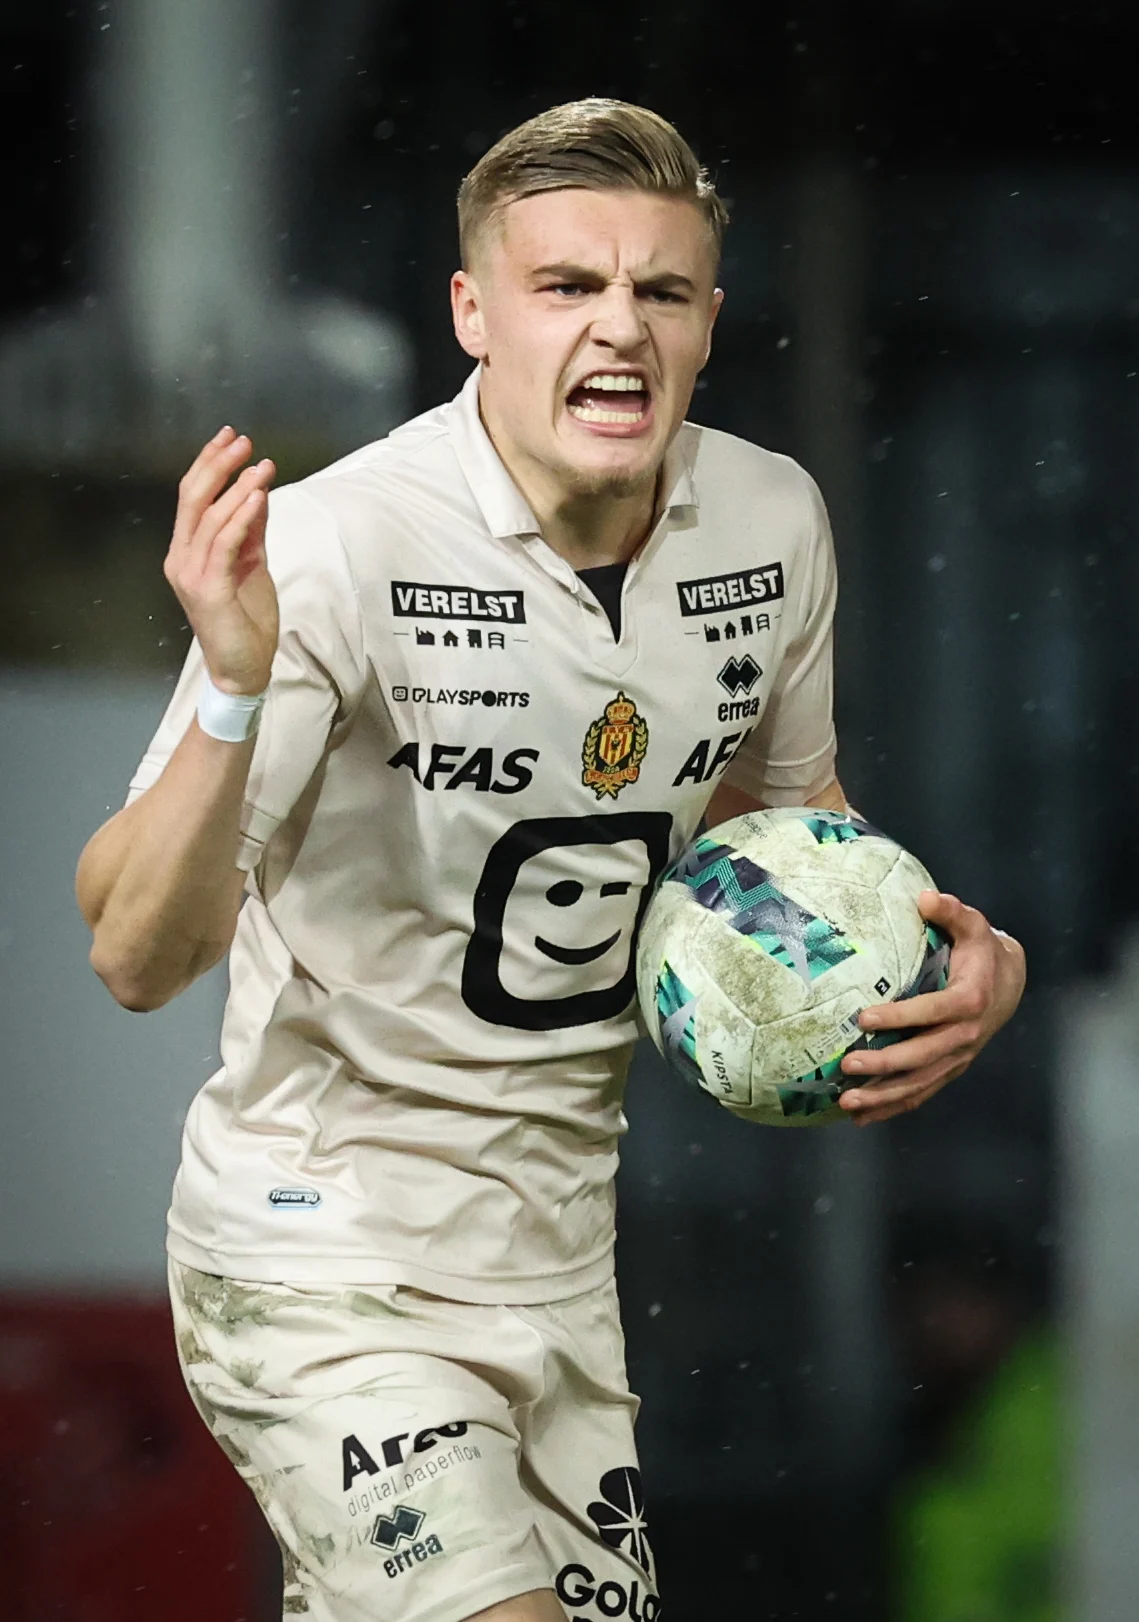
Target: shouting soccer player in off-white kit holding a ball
452 706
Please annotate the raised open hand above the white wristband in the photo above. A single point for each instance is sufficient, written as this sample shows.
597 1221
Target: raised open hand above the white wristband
217 564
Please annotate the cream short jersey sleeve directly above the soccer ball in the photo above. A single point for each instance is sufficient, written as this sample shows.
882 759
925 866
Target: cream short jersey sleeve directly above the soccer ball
791 755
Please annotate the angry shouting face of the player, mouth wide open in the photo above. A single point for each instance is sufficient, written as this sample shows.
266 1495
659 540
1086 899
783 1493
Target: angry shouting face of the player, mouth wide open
593 314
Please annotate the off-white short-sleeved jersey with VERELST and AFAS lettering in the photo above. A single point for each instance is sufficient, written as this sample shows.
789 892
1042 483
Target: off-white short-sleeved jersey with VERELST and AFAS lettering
463 791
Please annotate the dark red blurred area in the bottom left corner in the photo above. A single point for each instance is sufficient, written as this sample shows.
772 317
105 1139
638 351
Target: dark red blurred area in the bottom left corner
116 1504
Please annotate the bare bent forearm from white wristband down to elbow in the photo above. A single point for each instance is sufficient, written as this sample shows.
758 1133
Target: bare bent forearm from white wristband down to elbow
160 885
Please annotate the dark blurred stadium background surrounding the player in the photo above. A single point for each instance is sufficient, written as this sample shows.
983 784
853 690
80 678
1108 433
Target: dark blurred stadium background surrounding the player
880 1368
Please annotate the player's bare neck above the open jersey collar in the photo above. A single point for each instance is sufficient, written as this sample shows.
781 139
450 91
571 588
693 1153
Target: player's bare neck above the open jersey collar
588 528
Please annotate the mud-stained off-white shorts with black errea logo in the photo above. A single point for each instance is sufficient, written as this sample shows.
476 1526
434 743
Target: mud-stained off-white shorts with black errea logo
423 1459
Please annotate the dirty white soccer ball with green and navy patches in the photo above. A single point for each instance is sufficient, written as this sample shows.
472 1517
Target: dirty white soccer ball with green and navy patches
762 946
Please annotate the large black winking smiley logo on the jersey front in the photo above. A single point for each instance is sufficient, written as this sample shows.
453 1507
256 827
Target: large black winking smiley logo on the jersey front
638 841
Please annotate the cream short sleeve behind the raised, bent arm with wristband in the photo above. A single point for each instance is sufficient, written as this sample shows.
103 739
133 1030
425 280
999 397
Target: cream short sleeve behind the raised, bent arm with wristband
319 671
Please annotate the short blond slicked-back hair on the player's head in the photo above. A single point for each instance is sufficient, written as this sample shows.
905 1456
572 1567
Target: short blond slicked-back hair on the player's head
596 145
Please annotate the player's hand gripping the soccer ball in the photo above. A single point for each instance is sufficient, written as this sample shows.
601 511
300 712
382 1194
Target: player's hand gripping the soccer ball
952 1026
